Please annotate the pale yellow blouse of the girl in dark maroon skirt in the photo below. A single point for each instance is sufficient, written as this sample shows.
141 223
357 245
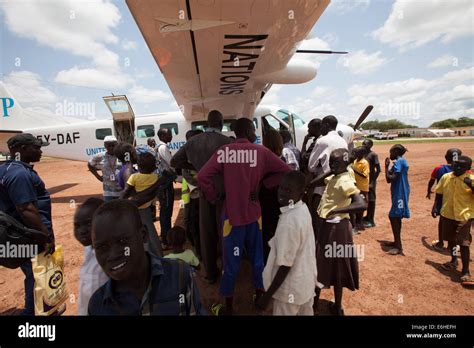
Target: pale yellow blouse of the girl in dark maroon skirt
337 194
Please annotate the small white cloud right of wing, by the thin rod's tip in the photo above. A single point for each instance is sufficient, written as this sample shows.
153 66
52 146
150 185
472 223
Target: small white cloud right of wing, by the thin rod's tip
360 62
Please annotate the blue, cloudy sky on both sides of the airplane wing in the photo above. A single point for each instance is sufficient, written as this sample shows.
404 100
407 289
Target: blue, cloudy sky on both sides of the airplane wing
412 59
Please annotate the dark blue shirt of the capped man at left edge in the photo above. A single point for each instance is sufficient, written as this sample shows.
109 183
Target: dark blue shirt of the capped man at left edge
20 184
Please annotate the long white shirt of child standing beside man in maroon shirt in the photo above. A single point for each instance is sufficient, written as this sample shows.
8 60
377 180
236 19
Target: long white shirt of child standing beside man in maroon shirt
293 246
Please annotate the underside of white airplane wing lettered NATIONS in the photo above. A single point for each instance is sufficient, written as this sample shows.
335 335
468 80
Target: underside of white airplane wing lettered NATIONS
225 55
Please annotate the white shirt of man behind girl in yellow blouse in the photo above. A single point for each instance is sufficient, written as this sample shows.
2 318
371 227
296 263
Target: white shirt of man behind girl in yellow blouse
319 159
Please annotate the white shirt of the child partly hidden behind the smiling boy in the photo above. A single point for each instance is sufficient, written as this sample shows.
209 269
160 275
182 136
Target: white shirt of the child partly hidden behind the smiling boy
91 278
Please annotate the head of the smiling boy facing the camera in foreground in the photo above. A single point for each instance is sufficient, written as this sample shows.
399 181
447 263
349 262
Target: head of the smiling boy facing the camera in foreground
117 237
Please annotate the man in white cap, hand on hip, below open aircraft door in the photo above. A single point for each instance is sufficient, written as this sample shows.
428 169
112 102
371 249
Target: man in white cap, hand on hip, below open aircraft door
108 163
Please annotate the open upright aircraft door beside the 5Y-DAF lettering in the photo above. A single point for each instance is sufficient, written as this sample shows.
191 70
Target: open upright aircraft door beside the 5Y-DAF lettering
123 116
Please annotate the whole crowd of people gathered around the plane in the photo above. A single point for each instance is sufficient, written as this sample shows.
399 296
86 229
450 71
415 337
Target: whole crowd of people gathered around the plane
284 209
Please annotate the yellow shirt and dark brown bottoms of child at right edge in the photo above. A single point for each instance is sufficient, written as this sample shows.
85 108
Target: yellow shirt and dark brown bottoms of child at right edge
457 209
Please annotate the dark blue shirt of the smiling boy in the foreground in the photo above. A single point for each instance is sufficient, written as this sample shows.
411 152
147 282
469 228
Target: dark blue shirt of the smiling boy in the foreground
164 296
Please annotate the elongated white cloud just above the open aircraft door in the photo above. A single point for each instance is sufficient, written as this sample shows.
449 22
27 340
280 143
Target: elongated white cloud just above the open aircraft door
91 77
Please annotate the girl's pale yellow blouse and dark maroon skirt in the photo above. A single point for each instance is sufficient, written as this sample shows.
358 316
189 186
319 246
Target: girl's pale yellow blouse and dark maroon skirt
334 270
